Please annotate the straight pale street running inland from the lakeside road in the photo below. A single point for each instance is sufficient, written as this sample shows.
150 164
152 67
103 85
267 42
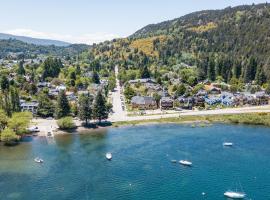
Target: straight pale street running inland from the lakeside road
118 113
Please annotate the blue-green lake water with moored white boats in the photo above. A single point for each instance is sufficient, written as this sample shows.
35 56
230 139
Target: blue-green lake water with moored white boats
75 167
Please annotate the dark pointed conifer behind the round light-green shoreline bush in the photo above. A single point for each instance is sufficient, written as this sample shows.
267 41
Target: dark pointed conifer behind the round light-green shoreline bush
62 107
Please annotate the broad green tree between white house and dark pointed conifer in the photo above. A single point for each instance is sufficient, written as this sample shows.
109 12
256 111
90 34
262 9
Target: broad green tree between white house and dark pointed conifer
45 105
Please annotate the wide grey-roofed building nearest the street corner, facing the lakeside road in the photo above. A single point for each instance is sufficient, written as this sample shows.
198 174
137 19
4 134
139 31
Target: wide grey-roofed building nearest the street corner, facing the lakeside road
144 103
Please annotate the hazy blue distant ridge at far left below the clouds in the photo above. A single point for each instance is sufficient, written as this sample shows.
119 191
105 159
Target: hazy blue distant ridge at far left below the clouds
36 41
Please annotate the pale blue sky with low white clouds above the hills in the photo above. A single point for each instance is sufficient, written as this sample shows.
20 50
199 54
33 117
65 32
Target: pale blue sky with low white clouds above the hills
93 21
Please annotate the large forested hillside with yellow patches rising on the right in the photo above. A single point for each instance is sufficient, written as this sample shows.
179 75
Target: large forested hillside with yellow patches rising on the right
224 44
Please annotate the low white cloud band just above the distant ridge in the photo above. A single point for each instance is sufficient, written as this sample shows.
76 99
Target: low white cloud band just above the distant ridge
88 38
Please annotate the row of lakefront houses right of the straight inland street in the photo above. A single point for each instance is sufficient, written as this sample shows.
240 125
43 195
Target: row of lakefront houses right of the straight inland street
208 96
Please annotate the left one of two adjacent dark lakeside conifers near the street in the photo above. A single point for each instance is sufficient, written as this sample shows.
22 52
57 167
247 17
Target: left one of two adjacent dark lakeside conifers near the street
85 109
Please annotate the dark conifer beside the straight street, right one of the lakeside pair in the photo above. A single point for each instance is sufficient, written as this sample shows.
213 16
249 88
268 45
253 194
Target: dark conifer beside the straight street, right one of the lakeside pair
100 111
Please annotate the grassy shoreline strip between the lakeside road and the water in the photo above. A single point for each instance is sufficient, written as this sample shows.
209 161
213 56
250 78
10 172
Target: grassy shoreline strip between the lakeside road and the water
256 118
